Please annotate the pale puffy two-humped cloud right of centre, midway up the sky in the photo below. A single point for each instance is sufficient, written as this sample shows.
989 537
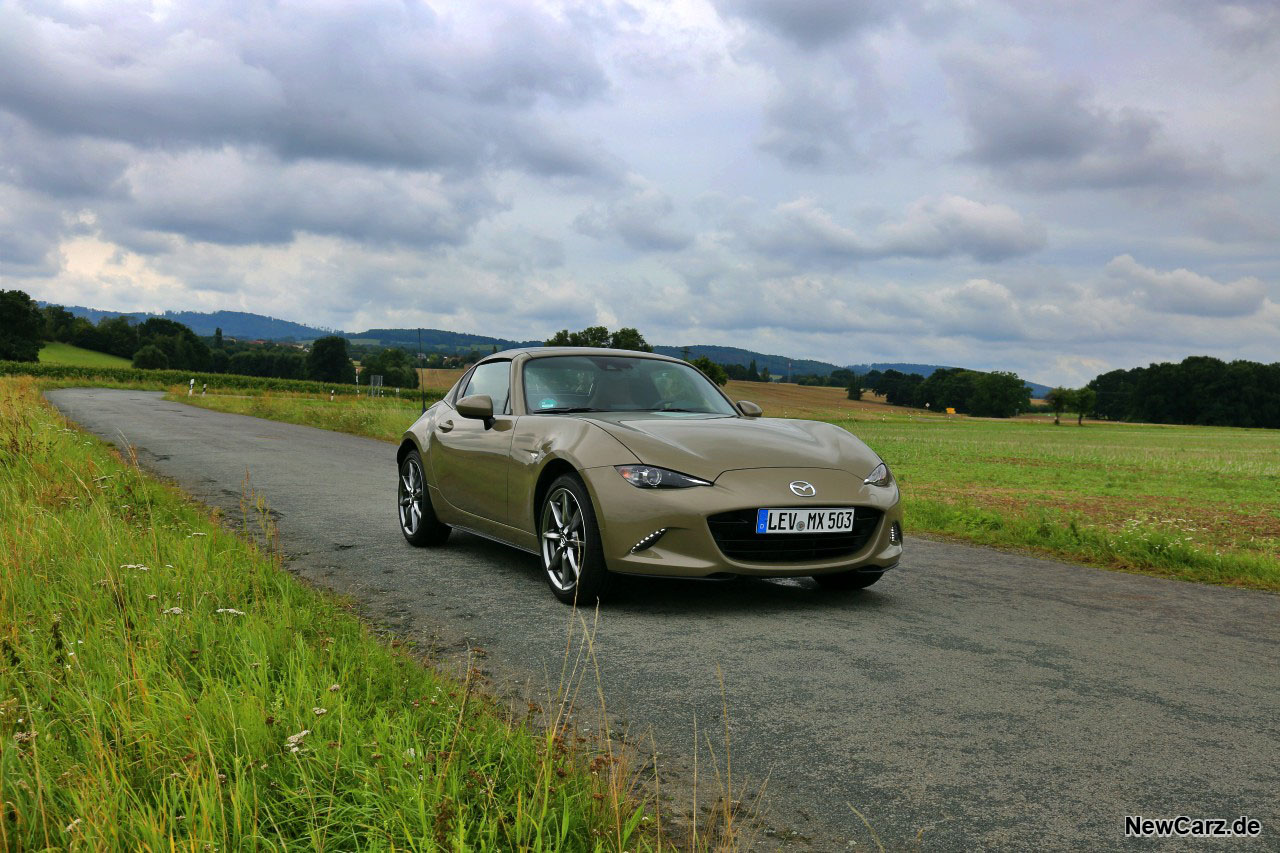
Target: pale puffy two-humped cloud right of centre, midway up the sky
931 229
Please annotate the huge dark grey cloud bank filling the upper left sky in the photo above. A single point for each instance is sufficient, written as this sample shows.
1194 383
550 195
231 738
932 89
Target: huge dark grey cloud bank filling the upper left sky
385 84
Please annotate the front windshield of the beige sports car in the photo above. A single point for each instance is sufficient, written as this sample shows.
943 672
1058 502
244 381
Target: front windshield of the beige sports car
561 385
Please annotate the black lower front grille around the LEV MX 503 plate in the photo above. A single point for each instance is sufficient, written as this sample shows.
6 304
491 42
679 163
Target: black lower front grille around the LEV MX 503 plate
738 540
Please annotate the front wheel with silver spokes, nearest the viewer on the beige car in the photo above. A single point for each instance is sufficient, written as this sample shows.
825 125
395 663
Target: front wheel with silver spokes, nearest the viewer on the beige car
570 544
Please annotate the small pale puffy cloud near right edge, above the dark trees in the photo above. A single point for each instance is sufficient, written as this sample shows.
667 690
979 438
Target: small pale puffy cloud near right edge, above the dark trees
1186 293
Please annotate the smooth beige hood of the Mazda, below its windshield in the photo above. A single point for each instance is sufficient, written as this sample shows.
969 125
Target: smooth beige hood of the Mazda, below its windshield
707 448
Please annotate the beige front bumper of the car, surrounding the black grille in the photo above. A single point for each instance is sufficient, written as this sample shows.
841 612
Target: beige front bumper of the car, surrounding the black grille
629 516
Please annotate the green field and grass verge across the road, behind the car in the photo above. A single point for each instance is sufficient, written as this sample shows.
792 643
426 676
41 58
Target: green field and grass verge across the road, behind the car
1190 503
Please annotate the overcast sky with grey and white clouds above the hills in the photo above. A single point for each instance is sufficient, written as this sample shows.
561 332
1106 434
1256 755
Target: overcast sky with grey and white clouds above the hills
1057 188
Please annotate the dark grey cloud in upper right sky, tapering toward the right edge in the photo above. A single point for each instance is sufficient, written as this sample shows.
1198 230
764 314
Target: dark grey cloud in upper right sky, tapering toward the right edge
1040 134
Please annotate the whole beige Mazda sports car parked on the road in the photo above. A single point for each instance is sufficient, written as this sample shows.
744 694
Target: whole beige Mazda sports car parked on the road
605 462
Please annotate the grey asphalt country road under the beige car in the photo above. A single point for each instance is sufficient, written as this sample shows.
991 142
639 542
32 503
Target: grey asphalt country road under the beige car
975 700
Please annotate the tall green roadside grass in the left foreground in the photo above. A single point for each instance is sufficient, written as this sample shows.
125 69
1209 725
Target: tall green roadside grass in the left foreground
164 685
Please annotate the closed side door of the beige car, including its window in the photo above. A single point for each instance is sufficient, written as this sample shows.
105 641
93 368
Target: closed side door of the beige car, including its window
470 458
